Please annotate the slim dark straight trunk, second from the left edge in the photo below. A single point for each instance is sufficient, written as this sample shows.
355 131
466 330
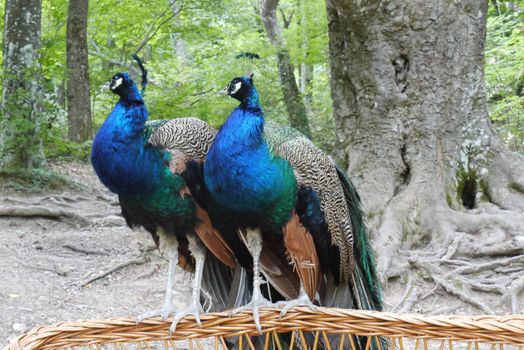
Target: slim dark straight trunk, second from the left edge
78 92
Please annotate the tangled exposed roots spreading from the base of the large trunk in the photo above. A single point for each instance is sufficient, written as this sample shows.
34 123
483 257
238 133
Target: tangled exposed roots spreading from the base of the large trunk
464 253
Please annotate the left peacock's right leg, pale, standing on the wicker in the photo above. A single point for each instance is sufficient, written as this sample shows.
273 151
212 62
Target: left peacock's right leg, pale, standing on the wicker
198 251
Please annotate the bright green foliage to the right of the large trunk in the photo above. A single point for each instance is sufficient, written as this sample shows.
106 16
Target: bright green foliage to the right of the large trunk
505 72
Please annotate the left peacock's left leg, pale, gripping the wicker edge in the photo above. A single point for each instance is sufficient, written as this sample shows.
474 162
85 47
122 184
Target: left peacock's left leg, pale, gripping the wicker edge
169 249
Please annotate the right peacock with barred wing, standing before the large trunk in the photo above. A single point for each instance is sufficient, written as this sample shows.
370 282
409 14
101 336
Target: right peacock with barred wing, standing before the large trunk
272 184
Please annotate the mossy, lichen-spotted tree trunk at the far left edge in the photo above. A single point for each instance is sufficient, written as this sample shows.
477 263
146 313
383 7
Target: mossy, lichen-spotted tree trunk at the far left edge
20 143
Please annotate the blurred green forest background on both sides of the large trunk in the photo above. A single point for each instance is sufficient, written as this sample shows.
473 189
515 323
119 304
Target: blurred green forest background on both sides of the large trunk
190 49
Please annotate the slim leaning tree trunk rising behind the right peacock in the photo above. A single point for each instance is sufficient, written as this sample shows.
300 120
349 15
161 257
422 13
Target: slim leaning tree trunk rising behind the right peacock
292 99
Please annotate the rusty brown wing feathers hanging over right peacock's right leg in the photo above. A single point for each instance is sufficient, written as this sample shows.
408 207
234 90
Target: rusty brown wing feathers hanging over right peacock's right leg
300 246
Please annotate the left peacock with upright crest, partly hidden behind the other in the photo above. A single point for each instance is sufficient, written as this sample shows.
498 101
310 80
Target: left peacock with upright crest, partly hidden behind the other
155 168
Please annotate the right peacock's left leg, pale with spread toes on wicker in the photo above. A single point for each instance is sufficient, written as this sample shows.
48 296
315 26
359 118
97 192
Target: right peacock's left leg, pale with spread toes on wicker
253 242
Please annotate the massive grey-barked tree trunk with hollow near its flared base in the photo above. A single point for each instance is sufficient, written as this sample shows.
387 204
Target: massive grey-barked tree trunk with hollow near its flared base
413 129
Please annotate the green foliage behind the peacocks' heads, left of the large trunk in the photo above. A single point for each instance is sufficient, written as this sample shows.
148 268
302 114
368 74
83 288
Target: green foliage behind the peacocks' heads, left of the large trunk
190 58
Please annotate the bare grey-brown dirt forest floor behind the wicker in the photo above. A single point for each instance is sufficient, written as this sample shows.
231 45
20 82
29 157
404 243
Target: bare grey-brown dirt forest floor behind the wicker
56 263
